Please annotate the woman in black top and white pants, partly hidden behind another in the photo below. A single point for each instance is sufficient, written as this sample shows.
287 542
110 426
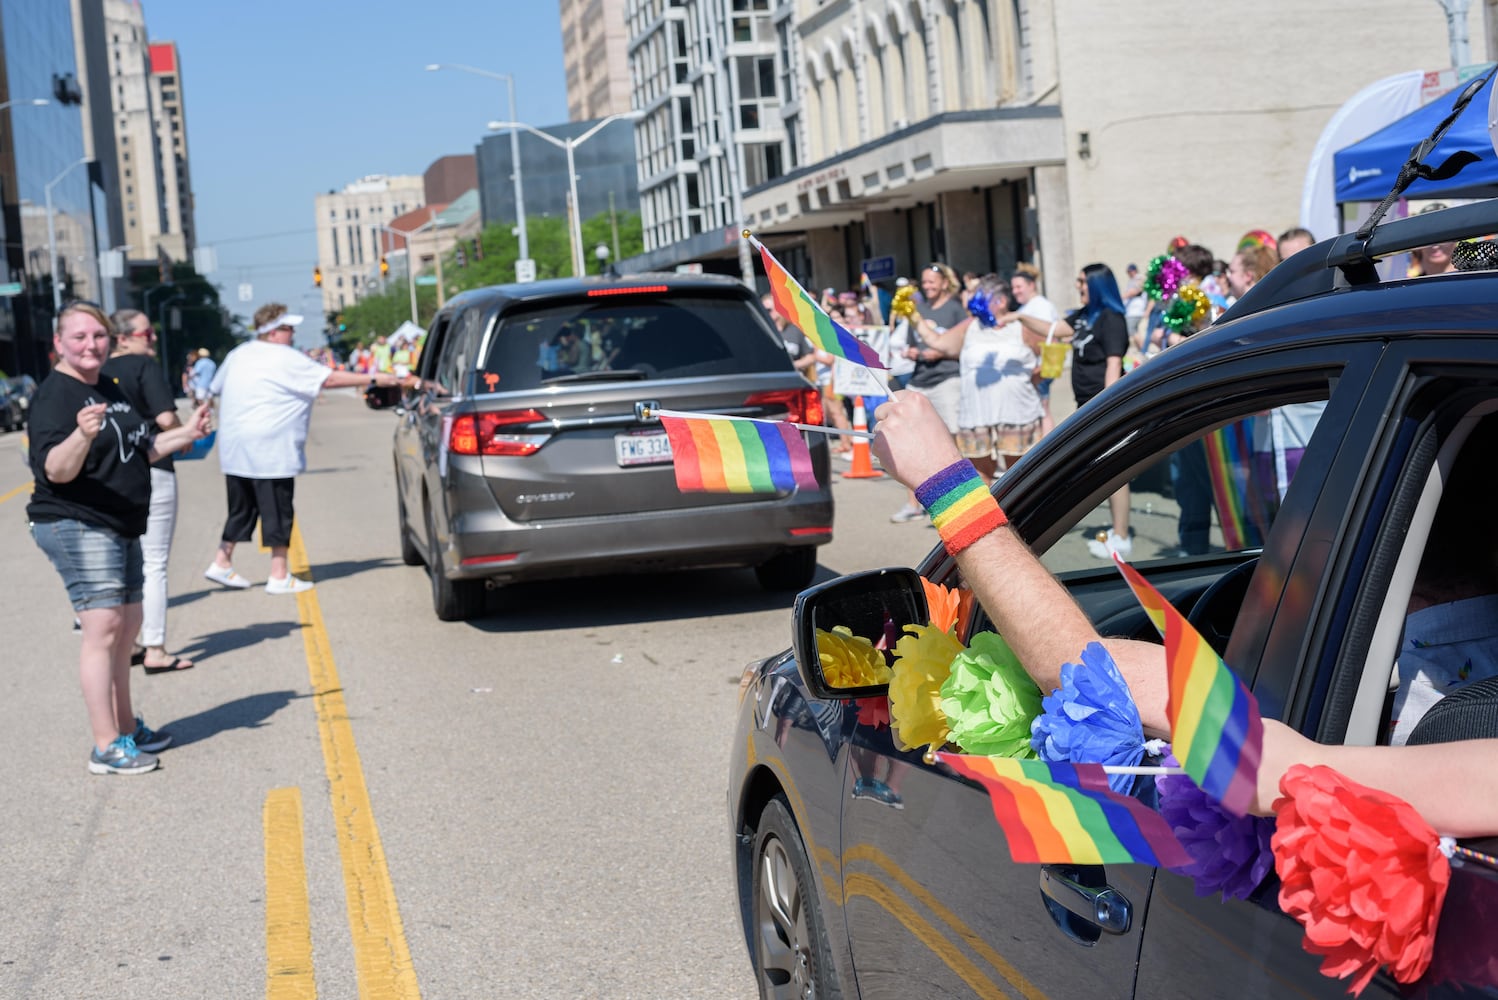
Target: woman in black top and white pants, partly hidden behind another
137 372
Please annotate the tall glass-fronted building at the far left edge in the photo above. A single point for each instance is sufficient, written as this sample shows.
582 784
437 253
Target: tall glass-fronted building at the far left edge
41 150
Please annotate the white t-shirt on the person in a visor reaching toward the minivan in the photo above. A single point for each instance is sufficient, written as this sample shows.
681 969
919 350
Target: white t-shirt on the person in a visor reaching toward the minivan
267 394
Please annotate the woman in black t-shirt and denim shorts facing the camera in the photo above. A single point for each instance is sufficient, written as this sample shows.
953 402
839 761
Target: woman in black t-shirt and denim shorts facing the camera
91 460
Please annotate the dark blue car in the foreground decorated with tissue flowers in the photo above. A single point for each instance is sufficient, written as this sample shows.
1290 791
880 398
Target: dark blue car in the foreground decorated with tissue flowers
1337 402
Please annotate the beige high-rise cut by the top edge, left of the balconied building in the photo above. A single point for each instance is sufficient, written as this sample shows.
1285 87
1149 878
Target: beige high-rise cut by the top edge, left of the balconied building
595 56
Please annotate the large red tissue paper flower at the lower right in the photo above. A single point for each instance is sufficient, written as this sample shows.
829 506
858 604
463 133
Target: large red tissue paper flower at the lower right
1362 874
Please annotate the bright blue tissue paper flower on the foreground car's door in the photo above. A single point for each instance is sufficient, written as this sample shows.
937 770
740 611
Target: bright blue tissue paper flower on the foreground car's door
1091 718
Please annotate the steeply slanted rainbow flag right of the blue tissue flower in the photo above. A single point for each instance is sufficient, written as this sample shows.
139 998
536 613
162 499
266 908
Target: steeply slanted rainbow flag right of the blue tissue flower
1216 730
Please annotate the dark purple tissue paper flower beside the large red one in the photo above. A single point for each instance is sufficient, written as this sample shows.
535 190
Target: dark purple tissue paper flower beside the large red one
1231 854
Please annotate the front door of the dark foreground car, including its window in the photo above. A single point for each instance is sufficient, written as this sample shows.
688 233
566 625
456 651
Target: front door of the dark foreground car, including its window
933 902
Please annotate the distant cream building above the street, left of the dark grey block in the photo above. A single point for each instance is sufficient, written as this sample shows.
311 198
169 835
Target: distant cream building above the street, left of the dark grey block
350 233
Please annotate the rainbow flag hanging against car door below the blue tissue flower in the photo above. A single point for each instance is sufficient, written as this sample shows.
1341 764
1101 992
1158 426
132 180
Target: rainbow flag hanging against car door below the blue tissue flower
1066 814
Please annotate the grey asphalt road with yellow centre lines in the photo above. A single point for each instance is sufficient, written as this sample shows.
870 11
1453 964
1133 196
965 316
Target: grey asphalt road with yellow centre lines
378 805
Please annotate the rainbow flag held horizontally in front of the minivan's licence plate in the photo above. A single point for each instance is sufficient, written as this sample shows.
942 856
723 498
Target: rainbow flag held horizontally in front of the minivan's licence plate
733 454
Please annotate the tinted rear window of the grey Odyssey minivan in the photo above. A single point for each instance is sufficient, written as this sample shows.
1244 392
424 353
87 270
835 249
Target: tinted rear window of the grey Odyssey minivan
630 338
